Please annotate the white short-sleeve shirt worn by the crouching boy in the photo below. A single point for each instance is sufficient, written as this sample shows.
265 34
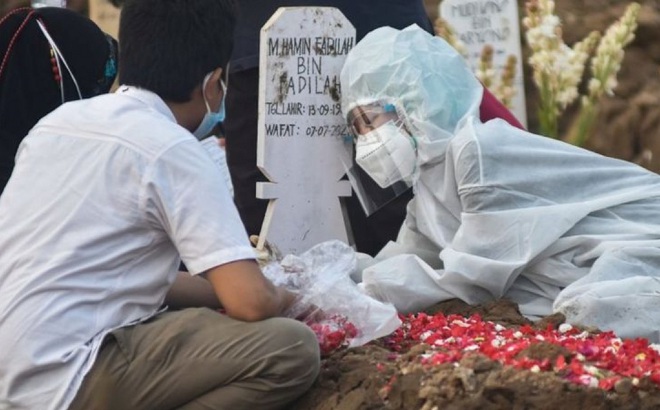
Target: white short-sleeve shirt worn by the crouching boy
108 194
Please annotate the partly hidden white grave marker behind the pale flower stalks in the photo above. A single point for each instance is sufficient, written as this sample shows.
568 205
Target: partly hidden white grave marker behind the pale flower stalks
494 22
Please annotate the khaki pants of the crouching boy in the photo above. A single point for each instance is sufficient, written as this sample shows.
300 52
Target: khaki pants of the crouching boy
199 359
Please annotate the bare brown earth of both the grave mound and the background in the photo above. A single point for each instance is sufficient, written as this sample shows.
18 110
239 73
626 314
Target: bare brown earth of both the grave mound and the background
370 377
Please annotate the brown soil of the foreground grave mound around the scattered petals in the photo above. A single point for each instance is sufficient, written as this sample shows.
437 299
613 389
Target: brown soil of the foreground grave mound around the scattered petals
370 377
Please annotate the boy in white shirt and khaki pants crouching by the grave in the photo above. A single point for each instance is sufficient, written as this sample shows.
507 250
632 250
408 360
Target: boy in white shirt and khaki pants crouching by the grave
120 191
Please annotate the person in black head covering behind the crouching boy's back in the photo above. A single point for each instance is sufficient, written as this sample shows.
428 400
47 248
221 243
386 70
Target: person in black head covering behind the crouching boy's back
48 56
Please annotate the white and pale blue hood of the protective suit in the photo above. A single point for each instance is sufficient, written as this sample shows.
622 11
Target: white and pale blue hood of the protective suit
427 80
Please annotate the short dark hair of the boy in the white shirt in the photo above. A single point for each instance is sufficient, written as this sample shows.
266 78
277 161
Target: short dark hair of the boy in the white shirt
168 46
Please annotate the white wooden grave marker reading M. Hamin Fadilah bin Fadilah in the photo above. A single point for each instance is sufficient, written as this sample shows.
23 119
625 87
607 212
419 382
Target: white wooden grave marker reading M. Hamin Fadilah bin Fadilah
301 129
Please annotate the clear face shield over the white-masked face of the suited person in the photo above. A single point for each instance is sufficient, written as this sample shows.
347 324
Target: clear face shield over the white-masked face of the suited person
383 153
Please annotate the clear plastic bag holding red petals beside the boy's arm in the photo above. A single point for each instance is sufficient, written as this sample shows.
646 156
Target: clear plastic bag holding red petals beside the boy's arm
321 279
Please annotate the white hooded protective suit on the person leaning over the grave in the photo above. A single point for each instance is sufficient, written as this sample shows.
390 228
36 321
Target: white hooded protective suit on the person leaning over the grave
500 212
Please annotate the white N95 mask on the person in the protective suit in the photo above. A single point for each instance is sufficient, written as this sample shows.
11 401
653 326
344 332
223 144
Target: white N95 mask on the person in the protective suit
387 154
